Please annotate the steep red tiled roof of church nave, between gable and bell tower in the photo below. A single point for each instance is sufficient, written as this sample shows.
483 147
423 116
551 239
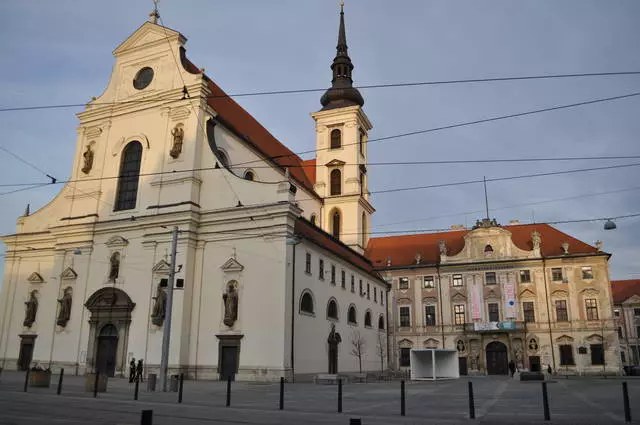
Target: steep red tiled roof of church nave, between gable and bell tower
252 131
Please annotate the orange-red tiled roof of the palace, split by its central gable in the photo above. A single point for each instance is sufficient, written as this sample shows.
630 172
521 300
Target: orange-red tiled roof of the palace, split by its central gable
403 249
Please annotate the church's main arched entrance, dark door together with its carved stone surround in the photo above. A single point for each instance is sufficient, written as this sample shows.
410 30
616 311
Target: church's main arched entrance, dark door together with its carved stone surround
108 330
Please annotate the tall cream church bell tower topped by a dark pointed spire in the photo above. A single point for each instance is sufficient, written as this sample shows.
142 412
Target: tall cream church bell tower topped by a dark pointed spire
341 159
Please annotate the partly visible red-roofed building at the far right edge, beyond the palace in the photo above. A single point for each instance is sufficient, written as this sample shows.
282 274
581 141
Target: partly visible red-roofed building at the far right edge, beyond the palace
626 299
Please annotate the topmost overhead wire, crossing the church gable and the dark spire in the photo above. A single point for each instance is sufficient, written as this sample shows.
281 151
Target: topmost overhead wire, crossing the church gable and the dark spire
362 87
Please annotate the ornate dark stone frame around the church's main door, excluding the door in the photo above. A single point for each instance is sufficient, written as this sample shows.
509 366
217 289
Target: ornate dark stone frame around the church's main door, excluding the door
109 305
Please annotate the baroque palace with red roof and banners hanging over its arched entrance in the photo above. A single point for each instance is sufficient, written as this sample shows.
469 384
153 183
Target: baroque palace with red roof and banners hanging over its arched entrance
527 293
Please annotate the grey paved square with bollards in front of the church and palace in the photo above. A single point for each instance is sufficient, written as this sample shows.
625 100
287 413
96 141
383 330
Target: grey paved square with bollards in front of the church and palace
497 400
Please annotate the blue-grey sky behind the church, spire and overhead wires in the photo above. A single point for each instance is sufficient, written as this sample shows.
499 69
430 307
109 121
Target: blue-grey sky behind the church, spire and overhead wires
60 52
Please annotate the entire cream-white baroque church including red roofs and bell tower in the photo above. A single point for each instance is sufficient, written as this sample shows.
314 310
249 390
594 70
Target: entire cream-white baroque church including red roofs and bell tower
271 276
